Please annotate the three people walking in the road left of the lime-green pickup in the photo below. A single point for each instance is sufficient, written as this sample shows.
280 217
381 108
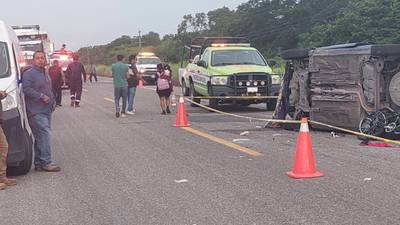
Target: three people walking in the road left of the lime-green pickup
125 80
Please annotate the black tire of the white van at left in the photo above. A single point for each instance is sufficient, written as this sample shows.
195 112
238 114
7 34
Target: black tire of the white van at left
26 164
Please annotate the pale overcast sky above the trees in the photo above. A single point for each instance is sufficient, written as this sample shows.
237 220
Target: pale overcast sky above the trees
80 23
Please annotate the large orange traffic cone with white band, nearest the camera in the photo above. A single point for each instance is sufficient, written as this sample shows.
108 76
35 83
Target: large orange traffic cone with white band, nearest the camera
304 163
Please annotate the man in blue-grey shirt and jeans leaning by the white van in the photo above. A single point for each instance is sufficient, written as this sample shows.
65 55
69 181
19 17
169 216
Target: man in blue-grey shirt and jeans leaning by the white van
39 100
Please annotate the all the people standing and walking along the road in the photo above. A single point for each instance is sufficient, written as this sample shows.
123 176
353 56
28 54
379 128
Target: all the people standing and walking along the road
42 92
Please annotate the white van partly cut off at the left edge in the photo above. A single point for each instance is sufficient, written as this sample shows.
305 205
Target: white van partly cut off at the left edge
15 121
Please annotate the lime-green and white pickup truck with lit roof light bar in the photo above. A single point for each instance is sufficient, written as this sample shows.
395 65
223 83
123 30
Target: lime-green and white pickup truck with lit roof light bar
221 67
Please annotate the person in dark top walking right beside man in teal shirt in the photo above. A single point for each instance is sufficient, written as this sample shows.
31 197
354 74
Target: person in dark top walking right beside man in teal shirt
133 79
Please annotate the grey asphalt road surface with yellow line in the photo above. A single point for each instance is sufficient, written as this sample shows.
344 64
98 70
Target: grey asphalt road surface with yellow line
141 170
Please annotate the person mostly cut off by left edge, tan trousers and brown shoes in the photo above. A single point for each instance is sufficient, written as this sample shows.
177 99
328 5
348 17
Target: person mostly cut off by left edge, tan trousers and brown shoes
4 181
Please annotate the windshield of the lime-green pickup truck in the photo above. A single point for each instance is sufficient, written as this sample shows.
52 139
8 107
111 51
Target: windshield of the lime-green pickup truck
236 57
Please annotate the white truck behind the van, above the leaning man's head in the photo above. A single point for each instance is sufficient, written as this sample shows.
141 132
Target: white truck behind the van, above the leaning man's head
32 39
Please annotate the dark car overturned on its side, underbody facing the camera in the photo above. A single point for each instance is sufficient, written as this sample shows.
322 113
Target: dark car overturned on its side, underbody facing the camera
342 84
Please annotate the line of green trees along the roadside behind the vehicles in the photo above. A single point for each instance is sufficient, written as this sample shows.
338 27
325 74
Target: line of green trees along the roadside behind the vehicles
272 26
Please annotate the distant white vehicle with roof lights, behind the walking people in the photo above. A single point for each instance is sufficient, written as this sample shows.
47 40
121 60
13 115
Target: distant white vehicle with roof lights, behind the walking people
147 66
